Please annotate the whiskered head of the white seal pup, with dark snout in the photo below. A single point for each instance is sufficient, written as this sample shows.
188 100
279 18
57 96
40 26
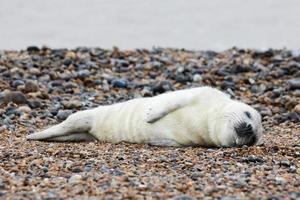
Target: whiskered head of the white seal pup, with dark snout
239 125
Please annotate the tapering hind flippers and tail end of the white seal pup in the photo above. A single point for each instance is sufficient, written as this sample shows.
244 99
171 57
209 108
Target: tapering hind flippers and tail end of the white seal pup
75 128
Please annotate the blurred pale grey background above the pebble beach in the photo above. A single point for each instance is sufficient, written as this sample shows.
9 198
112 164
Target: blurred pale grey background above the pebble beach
129 24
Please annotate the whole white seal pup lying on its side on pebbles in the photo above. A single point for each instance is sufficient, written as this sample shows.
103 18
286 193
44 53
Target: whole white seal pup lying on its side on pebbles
201 116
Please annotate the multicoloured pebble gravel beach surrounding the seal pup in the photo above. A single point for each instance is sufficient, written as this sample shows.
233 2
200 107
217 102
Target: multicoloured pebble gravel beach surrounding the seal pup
40 87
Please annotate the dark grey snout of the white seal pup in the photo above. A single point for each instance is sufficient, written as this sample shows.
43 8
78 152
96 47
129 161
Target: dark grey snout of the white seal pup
245 134
